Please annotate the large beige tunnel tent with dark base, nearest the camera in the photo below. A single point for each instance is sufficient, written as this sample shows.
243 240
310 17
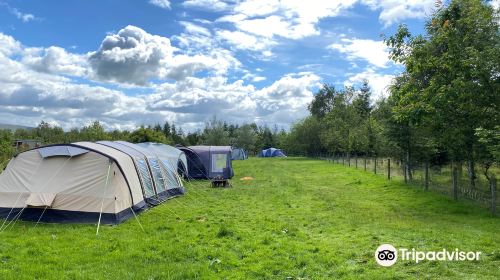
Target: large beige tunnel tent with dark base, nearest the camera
81 182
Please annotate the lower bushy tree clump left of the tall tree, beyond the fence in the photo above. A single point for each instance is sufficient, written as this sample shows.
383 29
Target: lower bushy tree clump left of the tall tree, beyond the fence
341 122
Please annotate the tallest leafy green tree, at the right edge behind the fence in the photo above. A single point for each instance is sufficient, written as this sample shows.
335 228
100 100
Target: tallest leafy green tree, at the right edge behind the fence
451 82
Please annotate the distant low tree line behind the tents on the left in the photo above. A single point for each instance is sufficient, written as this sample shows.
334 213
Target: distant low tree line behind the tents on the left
251 137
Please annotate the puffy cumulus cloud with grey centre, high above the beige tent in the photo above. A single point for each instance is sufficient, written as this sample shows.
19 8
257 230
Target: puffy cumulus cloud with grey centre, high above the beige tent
133 56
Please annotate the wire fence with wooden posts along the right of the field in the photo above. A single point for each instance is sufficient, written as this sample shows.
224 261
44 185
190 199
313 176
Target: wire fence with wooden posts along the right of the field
452 179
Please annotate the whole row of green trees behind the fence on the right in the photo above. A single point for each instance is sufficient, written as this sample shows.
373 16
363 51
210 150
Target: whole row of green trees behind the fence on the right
444 107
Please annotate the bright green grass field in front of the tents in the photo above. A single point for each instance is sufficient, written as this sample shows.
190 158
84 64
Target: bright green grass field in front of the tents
298 219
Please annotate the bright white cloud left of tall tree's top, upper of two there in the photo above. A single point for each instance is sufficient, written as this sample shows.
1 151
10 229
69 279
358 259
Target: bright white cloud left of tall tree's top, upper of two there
375 52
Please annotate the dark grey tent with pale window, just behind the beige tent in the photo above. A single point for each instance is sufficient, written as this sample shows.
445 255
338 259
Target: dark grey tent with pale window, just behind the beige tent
208 162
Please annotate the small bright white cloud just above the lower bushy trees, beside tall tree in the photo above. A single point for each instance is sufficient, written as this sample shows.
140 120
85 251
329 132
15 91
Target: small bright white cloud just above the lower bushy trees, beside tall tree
378 82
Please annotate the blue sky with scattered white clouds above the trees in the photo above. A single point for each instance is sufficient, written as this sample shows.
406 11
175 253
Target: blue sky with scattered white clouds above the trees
133 62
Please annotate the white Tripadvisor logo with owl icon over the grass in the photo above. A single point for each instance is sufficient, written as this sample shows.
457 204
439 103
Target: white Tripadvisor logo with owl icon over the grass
387 255
